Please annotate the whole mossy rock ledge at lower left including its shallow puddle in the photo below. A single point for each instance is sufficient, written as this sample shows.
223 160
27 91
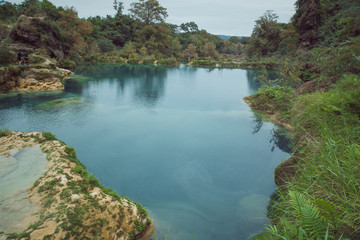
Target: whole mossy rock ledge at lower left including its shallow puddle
66 201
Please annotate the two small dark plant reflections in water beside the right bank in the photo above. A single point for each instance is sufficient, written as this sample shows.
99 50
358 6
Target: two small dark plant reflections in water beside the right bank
279 138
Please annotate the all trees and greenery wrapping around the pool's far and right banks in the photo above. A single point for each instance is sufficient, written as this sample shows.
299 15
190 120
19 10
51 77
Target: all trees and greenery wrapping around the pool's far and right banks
317 55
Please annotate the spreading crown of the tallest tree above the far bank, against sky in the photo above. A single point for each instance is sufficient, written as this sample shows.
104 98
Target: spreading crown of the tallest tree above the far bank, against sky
148 11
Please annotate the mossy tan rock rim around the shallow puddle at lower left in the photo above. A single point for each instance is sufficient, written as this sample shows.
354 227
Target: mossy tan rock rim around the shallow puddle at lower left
71 204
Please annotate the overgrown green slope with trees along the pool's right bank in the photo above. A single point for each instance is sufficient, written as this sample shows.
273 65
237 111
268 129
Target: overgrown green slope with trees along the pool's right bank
319 186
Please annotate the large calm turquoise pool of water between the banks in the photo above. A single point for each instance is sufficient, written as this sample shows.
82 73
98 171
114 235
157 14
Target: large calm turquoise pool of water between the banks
179 140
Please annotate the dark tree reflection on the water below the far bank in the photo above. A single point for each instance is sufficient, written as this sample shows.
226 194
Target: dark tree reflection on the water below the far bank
146 82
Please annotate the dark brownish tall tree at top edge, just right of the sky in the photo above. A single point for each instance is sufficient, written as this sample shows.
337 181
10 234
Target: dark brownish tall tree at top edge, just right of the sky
307 20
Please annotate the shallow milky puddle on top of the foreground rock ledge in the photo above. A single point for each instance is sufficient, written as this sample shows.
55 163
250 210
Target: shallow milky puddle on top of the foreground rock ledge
17 173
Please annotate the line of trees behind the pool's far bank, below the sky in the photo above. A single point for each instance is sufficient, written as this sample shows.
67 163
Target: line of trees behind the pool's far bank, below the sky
143 35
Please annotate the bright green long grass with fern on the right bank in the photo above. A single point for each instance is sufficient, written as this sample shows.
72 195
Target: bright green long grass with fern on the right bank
323 200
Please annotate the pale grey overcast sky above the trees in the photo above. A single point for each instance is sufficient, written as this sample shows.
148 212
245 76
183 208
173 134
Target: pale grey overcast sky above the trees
227 17
